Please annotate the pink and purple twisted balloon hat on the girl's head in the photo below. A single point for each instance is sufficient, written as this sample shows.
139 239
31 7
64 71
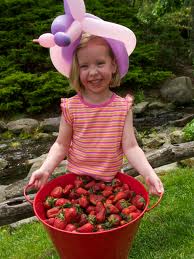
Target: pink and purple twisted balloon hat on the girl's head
66 34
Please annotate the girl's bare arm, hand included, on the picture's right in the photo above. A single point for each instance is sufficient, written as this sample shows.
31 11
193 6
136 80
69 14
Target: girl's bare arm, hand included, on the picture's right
137 158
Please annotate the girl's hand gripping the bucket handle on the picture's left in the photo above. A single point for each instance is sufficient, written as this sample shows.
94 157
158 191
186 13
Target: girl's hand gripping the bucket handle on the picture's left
39 178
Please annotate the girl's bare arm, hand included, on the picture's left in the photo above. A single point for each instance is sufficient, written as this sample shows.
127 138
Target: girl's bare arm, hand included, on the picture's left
57 153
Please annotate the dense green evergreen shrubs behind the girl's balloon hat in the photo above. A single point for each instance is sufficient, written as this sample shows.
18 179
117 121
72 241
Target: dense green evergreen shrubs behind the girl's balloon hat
29 82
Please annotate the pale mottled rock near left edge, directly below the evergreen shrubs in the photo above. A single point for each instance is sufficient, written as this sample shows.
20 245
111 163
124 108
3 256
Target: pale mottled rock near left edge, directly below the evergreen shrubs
22 125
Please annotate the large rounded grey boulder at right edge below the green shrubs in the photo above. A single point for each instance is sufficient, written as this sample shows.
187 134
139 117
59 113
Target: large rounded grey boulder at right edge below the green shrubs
178 90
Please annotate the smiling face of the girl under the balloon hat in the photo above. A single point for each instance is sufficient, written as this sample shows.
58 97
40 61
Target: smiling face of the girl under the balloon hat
96 66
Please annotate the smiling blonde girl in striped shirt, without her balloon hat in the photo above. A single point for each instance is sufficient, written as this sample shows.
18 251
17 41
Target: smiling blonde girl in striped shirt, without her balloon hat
96 126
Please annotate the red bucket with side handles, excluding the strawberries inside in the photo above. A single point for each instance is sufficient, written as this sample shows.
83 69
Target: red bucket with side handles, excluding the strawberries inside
109 244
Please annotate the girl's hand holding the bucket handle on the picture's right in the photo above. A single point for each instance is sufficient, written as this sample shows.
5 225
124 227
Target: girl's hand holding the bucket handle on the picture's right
155 185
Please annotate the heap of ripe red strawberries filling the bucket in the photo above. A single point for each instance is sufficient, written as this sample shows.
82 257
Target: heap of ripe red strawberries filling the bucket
89 205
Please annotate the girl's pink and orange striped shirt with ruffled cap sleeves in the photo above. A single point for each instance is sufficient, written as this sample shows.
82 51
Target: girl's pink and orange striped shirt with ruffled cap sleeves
96 146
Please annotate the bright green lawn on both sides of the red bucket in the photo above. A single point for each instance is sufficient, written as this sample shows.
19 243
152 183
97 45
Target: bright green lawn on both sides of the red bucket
166 232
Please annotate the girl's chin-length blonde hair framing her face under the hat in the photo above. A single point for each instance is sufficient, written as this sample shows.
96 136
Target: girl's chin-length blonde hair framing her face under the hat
74 73
